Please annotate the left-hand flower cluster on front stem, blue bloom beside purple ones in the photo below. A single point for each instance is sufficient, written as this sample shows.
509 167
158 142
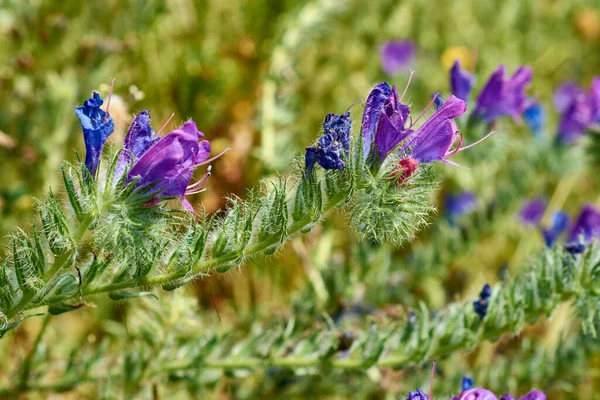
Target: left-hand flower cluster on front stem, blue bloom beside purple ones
164 165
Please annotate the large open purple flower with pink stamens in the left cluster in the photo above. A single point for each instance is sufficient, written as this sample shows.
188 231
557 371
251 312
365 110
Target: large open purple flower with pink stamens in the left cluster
170 162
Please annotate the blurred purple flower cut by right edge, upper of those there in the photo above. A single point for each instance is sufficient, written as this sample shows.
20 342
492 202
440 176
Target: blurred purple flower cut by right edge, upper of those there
579 109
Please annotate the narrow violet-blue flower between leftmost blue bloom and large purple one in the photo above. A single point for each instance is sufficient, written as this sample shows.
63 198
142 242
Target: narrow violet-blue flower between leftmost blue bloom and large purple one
139 139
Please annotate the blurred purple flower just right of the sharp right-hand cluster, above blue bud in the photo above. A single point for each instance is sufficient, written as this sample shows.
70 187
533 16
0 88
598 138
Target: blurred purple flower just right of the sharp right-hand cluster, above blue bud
504 96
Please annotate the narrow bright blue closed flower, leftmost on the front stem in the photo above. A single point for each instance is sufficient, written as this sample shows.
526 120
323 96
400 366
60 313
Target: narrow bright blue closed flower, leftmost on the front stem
97 126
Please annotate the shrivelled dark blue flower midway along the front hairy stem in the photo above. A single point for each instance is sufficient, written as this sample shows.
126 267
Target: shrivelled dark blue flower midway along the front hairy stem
335 139
